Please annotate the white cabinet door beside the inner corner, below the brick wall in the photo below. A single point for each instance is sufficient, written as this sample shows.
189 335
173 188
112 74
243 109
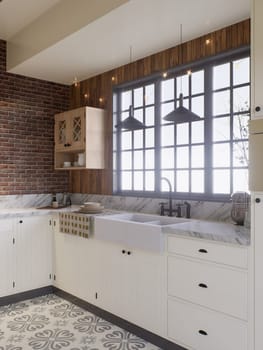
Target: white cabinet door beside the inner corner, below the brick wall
33 253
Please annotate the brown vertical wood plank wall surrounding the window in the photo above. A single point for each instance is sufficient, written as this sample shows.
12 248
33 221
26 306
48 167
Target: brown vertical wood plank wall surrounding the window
97 91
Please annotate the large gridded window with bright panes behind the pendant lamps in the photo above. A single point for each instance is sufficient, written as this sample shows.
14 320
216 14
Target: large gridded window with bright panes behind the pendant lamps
206 159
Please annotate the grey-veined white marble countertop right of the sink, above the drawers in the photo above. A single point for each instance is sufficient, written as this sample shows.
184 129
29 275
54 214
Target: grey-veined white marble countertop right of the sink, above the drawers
215 231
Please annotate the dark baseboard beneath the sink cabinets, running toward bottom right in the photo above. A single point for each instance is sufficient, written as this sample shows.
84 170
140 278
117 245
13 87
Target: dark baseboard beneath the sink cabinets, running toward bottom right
140 332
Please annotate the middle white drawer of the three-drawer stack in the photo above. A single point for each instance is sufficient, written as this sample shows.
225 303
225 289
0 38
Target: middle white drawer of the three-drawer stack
219 288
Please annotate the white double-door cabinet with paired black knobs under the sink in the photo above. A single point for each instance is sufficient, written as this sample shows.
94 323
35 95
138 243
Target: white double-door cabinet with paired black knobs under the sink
132 285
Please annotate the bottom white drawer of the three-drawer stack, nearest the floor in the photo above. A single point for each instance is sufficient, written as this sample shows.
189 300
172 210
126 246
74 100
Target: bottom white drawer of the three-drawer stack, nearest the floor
201 329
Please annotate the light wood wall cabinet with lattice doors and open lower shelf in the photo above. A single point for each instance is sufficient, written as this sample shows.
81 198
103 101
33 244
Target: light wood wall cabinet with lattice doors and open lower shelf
80 131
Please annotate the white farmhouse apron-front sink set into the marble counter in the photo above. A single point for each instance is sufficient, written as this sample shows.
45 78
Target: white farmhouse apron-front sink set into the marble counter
140 231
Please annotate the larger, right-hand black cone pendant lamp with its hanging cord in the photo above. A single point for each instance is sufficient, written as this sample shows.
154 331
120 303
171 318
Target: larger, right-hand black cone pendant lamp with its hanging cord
181 114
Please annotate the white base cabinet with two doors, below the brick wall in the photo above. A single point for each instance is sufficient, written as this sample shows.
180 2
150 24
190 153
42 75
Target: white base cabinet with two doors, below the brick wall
25 254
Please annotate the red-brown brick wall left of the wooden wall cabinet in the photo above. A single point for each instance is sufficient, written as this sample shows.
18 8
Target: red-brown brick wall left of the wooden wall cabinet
27 108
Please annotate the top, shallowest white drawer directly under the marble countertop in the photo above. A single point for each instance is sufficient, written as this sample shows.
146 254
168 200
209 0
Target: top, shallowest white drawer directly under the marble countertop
201 249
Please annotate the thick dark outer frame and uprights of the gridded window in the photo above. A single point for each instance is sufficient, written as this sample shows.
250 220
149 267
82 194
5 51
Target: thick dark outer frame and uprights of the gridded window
207 64
